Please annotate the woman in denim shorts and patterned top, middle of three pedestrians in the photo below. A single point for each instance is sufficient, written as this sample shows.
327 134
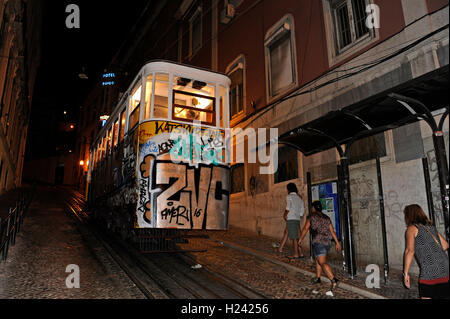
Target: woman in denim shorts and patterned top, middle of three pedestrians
322 232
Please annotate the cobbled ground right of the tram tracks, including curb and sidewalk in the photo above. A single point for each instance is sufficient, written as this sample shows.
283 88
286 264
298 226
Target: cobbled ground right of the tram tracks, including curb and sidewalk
254 260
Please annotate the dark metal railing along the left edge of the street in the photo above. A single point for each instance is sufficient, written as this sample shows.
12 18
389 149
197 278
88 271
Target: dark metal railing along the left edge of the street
12 224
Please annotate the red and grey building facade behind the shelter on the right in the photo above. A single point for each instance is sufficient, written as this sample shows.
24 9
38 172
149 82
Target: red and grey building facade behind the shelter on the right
303 65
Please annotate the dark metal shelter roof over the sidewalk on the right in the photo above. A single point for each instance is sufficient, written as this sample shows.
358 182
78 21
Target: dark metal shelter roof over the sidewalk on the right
371 116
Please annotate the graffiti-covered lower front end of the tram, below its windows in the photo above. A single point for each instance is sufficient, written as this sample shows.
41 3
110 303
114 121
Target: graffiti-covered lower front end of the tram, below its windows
180 180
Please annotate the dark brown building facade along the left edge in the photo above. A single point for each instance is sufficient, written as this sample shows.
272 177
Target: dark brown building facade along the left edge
19 59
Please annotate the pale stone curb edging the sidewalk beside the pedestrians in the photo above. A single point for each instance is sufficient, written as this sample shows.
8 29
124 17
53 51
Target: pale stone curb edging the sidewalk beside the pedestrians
263 256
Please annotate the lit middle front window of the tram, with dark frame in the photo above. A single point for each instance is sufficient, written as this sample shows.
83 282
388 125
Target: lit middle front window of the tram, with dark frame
194 101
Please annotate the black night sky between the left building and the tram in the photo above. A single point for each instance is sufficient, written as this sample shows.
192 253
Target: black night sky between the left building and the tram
104 25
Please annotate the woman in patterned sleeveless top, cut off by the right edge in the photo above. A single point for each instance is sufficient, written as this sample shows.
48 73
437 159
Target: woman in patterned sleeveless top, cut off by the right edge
428 246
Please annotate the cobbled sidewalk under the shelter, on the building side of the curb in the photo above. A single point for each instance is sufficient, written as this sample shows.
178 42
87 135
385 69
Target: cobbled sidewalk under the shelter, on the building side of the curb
263 247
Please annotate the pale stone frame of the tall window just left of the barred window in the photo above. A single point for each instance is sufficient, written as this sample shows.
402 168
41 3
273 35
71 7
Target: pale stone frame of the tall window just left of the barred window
284 26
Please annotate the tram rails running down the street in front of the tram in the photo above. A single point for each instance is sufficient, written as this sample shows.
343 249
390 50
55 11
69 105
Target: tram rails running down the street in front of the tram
161 276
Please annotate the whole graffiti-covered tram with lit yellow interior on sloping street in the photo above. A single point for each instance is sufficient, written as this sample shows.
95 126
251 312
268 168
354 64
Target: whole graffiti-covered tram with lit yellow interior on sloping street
157 170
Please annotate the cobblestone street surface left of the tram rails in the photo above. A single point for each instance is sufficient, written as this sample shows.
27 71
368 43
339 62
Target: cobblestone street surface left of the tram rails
49 241
